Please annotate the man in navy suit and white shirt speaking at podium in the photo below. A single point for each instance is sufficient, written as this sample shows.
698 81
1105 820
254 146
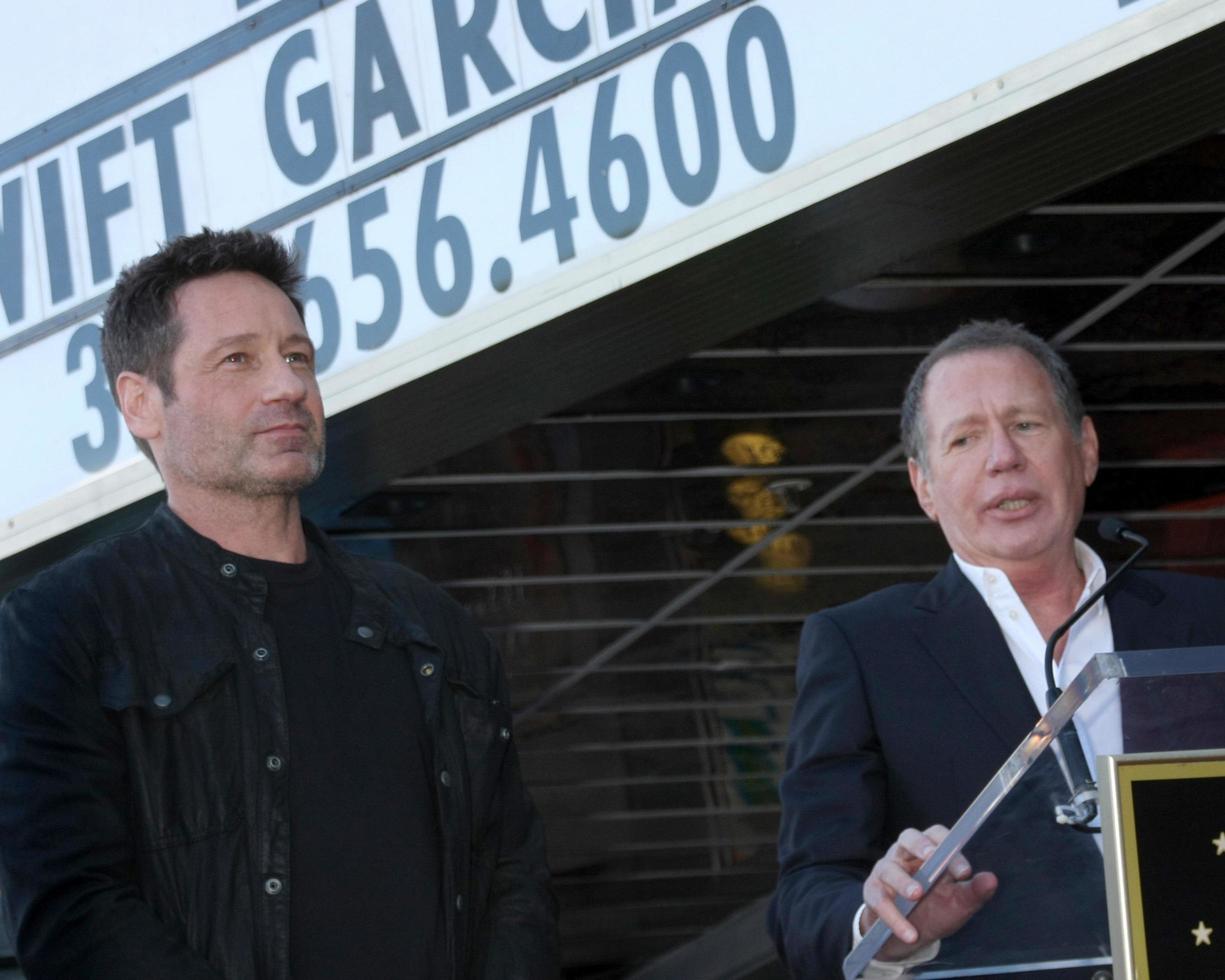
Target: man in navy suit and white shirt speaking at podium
910 700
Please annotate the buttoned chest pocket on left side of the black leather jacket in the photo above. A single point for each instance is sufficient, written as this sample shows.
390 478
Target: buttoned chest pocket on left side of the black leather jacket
184 749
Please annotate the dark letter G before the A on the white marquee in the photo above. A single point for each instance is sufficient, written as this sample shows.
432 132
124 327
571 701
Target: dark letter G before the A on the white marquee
314 107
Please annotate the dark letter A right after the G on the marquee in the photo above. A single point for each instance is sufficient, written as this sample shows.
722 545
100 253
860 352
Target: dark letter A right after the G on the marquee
373 48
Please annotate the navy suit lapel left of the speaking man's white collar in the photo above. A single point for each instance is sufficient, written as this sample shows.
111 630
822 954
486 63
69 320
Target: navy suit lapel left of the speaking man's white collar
962 638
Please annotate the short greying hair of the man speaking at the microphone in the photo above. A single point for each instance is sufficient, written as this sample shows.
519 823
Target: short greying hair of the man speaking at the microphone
982 335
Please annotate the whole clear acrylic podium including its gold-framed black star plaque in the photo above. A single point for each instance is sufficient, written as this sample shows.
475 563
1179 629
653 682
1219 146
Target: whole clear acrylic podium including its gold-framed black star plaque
1150 865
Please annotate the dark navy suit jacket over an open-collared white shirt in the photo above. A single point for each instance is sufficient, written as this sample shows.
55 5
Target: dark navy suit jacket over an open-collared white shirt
908 703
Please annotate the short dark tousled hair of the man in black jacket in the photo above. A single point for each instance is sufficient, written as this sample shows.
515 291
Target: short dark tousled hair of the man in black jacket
141 326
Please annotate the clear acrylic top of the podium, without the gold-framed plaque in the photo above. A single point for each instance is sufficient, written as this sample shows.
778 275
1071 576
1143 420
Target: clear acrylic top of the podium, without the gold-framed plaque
1049 917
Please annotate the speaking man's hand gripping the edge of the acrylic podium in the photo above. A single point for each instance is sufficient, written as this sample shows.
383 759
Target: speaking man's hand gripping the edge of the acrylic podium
946 908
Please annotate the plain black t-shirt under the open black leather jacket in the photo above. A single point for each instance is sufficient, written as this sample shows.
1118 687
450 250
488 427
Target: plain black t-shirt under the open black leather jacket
366 856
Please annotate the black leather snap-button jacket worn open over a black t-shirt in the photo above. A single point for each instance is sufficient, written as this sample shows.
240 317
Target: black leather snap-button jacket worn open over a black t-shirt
143 831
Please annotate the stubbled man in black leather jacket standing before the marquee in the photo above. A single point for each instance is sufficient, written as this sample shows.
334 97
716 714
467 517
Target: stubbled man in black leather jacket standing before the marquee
228 748
